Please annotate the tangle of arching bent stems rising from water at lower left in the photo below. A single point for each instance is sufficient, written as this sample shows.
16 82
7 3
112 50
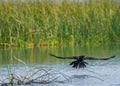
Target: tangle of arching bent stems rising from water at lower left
33 75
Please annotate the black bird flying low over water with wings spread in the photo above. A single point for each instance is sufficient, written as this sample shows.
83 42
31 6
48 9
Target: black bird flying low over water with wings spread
80 60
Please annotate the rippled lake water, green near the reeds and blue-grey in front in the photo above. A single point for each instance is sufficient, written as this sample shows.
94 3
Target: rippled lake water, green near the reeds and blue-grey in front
22 61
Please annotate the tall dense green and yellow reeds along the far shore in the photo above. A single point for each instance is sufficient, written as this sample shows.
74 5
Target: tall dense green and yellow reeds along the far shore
45 23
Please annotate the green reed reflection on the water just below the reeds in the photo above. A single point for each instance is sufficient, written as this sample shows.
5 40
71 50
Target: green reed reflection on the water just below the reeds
41 55
